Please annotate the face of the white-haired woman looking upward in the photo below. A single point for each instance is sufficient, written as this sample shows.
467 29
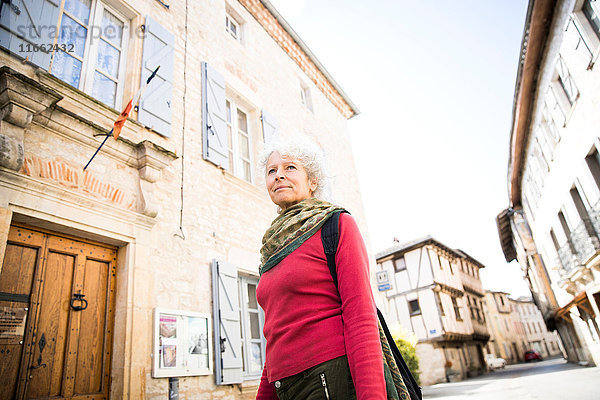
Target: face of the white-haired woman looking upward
287 181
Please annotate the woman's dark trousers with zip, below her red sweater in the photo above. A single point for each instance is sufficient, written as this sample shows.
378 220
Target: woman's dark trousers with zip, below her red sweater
330 380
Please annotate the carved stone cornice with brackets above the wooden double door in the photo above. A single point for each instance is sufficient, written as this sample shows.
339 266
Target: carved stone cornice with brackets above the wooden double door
23 100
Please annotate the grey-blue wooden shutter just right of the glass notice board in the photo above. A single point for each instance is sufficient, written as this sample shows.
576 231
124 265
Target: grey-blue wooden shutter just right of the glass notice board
228 340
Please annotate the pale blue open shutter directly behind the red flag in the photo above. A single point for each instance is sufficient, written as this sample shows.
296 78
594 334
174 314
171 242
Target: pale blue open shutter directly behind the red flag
155 106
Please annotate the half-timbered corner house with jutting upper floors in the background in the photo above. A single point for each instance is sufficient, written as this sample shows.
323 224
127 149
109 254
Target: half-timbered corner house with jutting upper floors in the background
435 292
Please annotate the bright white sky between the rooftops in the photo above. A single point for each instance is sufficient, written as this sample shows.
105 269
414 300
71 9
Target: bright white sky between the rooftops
434 82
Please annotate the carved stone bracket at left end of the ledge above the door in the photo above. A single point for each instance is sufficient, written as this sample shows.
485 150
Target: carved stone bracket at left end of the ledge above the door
20 99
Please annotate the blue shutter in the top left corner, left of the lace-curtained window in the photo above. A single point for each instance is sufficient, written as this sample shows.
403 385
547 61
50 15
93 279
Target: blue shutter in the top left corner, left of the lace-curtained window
25 23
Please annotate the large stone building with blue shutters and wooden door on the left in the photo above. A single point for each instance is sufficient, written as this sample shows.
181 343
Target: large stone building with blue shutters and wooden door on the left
143 267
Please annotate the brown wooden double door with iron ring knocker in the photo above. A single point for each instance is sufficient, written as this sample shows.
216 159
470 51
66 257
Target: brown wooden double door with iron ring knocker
56 317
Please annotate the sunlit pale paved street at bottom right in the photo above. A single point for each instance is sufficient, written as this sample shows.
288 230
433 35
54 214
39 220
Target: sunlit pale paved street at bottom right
551 379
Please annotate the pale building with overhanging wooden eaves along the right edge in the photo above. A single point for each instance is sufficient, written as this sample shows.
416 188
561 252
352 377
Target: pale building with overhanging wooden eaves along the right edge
551 224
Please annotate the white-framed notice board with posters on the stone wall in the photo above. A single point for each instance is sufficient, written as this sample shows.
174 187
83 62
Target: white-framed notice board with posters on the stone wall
182 343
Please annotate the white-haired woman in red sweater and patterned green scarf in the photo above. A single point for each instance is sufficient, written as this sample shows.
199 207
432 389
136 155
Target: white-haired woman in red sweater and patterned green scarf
322 341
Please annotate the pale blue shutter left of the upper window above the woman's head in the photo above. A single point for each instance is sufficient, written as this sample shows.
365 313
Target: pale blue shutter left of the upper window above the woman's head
214 117
